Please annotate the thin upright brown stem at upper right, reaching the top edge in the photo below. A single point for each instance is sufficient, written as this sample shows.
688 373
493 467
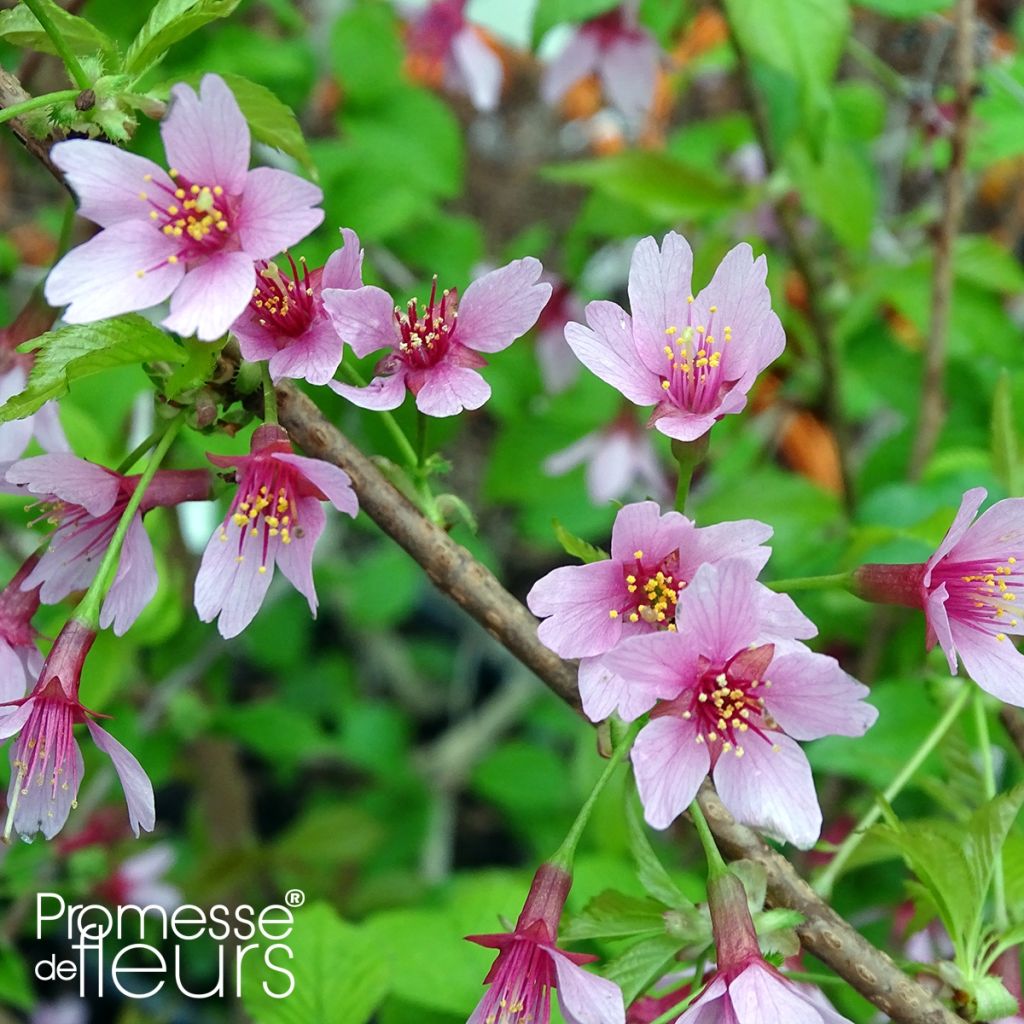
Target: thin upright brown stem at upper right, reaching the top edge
933 392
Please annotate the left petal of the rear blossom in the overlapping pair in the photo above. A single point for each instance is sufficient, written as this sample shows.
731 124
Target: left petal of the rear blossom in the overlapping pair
578 599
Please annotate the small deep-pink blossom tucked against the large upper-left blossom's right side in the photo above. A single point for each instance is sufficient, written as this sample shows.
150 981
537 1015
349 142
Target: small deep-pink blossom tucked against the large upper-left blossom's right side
286 322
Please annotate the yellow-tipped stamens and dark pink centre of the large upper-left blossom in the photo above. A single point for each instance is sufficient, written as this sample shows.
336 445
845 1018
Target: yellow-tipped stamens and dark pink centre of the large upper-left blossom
198 217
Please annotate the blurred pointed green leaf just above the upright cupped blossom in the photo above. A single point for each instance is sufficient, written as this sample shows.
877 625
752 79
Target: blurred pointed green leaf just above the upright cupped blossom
656 183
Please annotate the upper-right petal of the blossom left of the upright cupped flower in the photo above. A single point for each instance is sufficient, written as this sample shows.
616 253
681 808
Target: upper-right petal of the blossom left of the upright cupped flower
502 306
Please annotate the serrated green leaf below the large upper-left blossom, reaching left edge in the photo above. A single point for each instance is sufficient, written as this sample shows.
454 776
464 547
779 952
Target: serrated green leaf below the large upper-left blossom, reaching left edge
83 350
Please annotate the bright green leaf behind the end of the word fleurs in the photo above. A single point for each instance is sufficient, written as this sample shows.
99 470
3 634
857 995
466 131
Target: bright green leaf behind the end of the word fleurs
339 976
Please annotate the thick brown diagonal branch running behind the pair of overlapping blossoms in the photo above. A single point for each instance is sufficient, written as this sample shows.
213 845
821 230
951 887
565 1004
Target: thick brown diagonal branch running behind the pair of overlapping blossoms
472 586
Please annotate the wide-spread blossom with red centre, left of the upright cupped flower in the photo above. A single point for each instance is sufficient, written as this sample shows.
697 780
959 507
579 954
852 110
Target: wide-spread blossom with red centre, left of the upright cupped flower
436 350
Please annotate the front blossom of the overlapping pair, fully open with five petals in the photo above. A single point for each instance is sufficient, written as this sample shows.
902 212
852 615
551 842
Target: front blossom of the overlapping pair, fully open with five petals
735 693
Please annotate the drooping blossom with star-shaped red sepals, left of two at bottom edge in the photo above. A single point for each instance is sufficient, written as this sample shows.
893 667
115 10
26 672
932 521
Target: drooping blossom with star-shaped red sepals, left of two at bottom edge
530 966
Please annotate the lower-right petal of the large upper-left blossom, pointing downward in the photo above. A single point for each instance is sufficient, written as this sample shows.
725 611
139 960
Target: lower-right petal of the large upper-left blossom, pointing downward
212 296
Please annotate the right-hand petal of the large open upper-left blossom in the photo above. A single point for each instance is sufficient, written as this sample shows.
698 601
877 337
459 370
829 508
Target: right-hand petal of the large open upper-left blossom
278 210
